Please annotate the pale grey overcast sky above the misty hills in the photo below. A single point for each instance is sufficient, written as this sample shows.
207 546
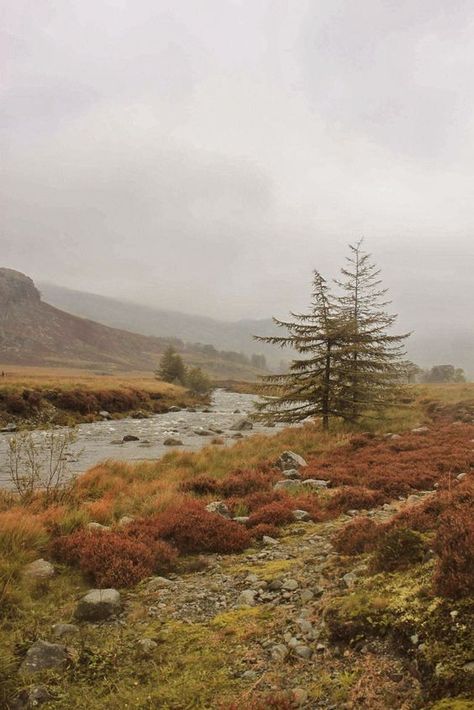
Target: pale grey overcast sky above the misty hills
206 155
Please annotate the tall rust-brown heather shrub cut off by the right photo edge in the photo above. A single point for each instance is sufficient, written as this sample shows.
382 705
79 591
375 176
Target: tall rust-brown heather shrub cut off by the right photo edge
454 544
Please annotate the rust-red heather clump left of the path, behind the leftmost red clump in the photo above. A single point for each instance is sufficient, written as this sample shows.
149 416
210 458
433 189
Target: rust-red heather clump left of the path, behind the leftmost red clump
192 529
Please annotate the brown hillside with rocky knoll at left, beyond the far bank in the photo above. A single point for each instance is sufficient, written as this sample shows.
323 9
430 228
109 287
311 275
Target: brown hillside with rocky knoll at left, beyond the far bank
33 332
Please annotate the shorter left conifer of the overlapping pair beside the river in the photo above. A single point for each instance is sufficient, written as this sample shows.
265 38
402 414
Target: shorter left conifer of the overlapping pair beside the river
310 388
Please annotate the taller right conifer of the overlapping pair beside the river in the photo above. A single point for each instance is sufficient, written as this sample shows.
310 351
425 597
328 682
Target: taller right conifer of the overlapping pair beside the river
371 366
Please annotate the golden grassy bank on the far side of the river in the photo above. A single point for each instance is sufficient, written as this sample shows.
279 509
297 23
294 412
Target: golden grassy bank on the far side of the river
37 396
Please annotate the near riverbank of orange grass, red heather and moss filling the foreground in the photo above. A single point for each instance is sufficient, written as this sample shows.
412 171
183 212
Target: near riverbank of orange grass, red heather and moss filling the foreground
414 568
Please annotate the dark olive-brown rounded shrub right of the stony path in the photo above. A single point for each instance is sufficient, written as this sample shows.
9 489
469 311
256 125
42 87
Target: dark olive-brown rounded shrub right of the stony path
398 549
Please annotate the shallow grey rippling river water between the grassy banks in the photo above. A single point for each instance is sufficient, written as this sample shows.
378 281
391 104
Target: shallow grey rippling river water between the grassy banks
102 440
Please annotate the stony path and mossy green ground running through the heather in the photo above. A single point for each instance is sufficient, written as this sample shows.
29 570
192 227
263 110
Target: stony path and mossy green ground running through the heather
246 626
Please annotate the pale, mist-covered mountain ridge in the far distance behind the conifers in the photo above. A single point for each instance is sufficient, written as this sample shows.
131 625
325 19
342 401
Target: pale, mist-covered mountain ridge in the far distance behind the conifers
437 343
